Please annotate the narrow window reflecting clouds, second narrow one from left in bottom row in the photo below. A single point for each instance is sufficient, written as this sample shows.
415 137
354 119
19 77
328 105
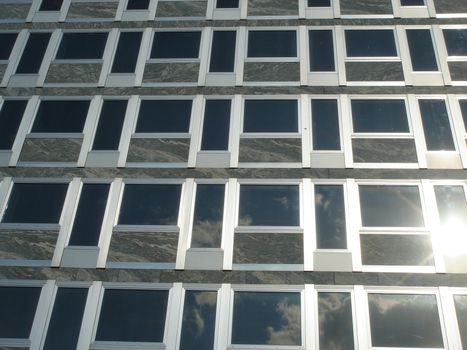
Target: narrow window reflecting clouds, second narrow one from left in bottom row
199 321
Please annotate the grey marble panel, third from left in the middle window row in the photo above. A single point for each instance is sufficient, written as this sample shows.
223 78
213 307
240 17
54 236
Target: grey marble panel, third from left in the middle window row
270 150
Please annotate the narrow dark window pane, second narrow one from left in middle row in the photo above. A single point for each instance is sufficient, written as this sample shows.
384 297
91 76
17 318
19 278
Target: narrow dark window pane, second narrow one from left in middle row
109 128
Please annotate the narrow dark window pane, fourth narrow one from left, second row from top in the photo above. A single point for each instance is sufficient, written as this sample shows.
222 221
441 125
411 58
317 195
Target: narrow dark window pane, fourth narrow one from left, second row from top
321 51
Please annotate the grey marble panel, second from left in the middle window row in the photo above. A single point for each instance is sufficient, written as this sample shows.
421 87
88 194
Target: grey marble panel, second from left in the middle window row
158 150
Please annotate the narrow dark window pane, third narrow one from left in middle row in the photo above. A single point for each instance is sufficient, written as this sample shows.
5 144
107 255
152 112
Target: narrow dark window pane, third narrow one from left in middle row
216 125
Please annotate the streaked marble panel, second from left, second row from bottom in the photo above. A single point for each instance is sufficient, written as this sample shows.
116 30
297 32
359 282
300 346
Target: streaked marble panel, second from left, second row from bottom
143 247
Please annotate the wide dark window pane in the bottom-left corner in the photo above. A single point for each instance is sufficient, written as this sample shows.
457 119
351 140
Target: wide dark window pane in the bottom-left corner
18 307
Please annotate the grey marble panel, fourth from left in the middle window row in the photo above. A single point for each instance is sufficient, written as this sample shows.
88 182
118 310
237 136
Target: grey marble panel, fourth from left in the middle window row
384 151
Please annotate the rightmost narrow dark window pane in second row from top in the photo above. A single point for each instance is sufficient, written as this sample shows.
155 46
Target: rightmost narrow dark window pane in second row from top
422 52
